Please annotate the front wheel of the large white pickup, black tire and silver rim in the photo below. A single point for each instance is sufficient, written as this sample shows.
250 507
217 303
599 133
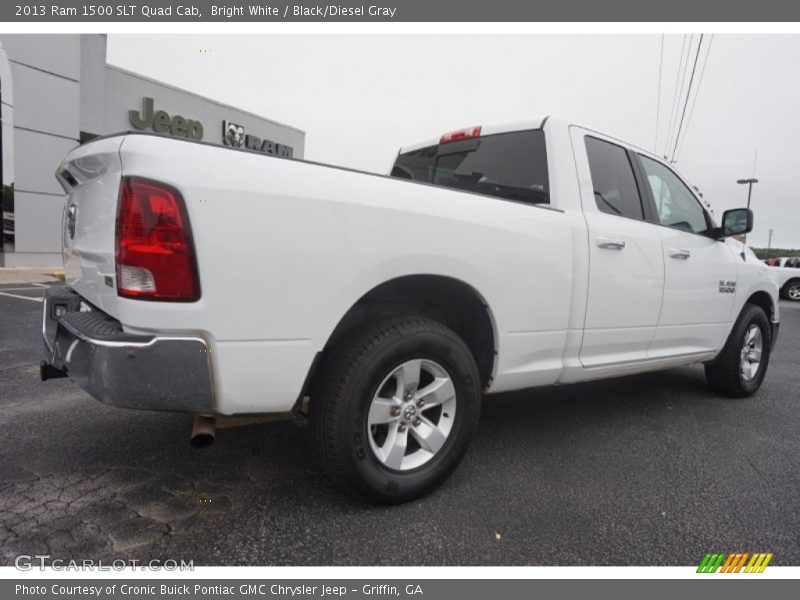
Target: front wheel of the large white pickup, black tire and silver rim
728 374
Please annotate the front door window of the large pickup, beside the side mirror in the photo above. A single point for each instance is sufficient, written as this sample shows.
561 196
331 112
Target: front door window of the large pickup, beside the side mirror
676 206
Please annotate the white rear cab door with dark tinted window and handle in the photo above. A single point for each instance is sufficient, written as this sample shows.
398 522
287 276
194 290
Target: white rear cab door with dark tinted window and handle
626 266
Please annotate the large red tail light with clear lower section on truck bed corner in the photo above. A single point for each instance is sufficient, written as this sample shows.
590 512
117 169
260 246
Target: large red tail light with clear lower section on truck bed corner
155 254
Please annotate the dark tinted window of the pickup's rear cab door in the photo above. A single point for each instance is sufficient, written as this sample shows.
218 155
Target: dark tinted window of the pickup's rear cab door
615 189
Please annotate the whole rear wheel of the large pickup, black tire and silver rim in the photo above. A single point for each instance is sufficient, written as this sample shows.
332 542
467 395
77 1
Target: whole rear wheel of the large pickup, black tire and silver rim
360 382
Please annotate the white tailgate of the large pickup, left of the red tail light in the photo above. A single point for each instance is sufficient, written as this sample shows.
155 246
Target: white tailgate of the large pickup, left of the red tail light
90 175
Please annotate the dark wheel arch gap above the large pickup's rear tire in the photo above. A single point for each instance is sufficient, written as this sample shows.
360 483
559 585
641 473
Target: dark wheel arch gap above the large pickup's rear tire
447 300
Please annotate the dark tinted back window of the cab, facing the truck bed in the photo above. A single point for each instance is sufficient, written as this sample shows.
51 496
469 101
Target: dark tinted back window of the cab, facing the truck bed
512 166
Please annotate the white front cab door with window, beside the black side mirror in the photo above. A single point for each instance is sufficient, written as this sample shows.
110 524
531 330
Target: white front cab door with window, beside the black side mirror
700 273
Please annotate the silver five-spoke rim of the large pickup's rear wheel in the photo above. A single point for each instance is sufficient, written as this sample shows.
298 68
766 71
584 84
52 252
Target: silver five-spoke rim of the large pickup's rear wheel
411 415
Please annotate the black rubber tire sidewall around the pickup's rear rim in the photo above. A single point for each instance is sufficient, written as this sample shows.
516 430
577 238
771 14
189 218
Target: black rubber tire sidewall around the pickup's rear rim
386 484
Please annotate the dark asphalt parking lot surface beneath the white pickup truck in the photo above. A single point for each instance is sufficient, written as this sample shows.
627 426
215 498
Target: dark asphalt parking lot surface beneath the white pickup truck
646 470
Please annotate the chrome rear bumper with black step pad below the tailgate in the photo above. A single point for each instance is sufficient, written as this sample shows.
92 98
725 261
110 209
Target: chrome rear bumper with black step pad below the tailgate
148 372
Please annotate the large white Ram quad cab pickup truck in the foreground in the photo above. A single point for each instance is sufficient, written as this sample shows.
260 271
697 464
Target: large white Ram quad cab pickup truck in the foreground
221 282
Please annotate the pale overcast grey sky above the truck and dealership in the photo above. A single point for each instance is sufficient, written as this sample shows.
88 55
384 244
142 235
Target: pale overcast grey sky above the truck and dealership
360 97
